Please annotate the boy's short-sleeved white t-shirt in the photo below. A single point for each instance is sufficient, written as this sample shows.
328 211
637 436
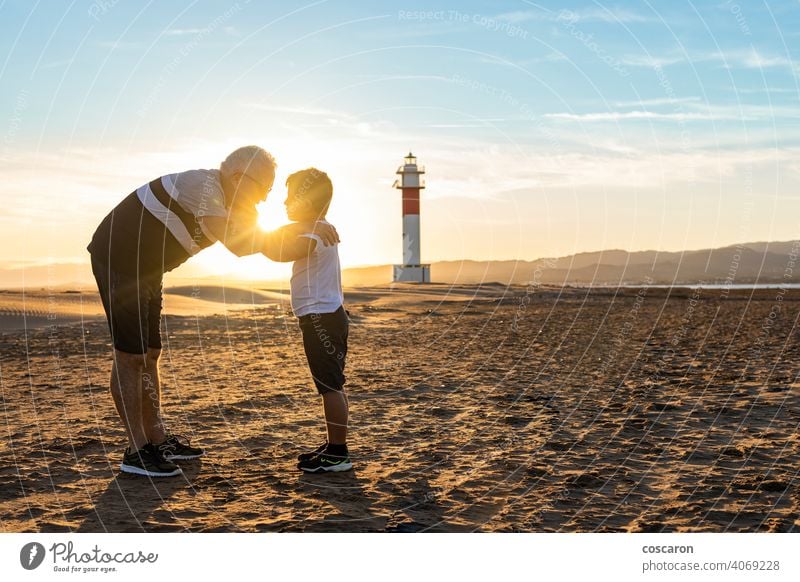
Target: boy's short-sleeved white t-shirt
316 283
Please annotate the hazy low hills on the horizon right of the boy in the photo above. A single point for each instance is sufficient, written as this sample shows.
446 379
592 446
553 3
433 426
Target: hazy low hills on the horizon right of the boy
757 262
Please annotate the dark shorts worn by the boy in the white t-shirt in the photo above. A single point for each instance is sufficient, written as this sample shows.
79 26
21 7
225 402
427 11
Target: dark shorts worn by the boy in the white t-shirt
325 343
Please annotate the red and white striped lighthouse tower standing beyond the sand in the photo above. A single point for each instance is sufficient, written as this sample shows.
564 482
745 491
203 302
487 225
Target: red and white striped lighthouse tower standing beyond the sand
410 183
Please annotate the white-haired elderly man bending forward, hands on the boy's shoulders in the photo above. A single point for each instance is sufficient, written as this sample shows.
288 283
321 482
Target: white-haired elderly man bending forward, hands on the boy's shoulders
152 231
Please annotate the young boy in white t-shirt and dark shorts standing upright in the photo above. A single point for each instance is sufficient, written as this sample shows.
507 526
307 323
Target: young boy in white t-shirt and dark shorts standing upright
317 302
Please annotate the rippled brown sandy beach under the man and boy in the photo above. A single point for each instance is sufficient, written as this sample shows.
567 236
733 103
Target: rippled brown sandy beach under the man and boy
474 408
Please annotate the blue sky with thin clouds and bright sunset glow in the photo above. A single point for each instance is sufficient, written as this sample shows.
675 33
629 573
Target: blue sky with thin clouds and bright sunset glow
547 128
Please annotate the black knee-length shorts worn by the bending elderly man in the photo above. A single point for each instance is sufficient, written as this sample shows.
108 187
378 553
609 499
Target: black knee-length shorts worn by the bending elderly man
133 307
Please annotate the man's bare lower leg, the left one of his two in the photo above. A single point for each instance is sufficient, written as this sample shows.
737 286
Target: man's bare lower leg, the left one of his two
126 390
